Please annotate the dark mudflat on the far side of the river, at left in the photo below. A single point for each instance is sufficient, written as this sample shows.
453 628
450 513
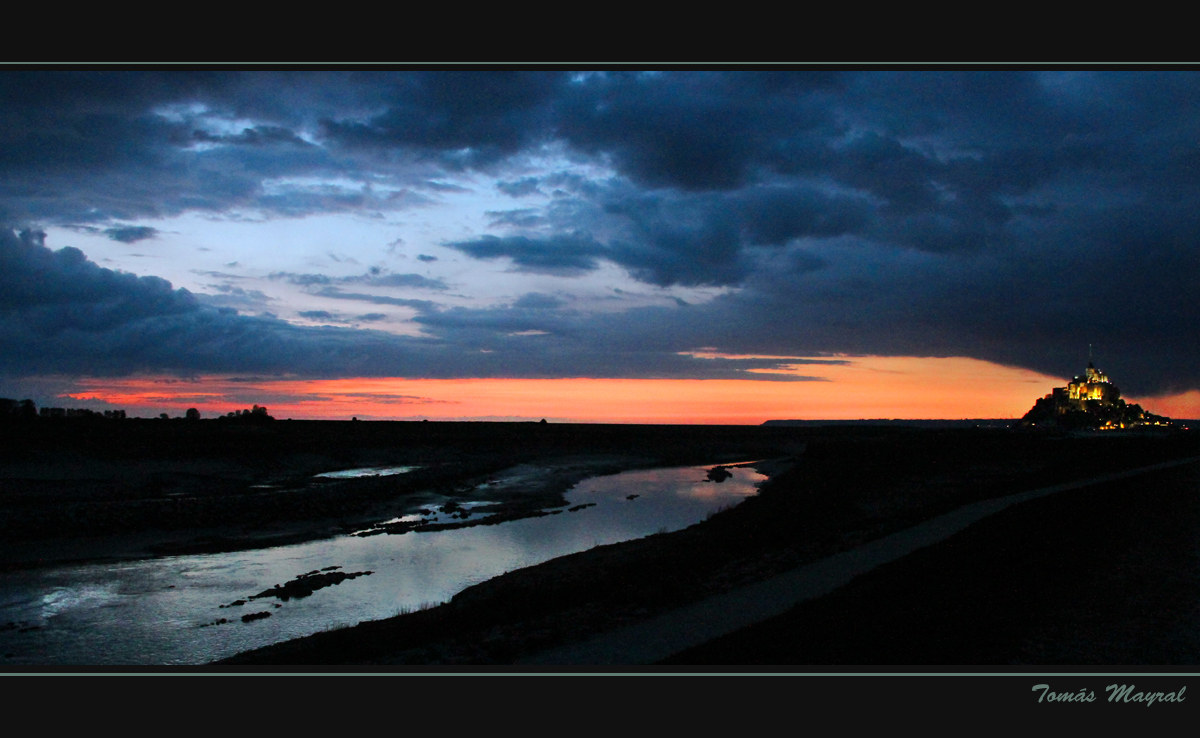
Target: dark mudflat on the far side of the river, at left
75 490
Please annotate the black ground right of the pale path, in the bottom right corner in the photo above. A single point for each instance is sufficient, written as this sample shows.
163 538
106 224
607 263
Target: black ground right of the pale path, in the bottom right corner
1106 575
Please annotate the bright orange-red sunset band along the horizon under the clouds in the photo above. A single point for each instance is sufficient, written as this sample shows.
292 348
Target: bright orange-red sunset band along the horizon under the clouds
866 387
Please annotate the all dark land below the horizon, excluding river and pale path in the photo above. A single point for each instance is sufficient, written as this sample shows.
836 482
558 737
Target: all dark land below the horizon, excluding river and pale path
1107 574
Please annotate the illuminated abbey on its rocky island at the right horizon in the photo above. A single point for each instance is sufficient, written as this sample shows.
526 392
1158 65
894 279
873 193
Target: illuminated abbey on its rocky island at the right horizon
1089 404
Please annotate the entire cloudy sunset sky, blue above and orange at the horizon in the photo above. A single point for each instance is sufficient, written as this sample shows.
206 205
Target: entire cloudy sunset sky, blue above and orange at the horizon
598 247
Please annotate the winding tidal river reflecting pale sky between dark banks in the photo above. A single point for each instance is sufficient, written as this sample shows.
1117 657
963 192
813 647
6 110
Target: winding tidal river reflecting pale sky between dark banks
170 610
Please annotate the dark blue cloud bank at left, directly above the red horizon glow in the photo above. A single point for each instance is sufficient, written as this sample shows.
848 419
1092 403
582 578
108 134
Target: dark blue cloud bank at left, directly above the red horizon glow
62 314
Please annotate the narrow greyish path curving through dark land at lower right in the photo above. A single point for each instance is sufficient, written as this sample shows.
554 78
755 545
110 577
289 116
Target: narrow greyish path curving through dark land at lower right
659 638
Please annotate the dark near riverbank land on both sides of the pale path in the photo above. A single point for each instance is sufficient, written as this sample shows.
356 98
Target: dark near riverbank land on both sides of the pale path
1107 574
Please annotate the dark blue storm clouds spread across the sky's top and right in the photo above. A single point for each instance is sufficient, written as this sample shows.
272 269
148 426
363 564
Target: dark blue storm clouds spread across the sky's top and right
1011 217
